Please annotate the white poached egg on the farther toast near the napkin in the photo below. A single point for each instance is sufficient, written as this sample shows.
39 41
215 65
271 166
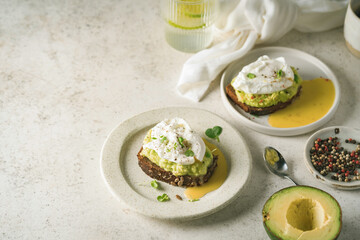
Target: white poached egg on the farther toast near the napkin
264 76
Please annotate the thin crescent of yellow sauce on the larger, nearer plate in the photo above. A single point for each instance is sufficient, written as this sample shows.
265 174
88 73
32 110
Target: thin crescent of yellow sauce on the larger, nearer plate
215 181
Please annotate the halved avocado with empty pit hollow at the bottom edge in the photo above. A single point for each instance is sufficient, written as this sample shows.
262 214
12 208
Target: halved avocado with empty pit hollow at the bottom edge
302 212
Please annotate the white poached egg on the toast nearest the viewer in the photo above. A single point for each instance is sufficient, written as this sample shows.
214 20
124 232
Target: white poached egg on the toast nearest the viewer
175 141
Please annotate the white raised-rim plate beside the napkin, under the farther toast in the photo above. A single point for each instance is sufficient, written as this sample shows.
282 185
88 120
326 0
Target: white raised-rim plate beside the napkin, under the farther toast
309 68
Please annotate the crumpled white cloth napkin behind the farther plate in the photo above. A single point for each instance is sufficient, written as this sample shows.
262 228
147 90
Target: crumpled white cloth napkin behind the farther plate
252 22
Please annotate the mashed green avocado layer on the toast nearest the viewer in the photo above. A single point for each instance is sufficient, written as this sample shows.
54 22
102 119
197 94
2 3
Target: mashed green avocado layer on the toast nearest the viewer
196 169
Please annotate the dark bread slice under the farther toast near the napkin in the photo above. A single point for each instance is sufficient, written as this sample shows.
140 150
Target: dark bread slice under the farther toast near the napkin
230 91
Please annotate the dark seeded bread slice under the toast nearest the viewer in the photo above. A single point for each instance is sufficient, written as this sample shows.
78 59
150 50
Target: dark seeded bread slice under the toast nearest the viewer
154 171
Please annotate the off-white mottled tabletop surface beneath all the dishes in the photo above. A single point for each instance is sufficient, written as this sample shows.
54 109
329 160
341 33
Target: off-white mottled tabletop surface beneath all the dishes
70 71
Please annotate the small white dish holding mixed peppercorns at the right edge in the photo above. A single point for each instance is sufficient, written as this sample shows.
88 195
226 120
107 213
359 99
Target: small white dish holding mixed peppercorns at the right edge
344 133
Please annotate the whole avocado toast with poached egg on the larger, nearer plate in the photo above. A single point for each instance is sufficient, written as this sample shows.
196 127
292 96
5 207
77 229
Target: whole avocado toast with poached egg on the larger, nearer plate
175 154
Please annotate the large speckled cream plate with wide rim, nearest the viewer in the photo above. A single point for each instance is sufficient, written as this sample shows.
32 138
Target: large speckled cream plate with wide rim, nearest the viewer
131 185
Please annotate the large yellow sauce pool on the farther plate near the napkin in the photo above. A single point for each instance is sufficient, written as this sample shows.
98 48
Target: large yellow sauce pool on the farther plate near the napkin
314 102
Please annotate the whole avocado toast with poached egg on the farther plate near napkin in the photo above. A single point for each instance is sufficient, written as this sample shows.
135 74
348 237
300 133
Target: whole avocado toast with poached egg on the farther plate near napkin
265 86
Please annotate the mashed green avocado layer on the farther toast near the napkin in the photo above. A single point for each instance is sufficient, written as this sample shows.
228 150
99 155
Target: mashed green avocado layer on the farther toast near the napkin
267 100
